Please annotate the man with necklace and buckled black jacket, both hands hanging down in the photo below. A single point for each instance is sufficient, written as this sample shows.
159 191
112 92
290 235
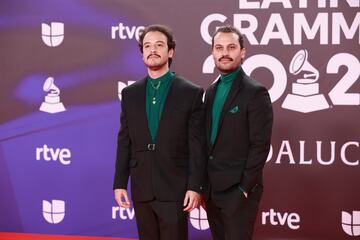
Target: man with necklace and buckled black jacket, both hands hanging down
161 143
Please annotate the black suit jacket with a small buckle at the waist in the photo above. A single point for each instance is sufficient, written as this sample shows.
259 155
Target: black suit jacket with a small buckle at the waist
178 162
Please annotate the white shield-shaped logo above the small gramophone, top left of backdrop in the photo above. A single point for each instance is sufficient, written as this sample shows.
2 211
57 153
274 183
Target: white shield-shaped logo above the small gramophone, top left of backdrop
53 34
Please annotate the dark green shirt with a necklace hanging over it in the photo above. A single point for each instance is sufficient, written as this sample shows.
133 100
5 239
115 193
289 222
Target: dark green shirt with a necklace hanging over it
156 92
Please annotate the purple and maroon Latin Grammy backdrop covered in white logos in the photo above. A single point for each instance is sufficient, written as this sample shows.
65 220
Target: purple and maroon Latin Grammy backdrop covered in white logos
64 63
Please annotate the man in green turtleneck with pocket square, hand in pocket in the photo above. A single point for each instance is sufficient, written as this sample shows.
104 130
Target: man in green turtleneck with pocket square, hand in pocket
239 121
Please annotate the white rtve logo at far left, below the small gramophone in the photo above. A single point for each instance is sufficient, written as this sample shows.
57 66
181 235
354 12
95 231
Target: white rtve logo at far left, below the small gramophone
50 154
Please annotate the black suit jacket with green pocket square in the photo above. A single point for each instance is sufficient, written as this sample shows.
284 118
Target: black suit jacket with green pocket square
243 140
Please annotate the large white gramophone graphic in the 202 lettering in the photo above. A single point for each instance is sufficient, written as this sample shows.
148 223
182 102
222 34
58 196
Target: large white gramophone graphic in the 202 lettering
305 95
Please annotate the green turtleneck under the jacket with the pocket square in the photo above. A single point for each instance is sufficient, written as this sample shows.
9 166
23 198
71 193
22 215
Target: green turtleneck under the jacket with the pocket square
222 91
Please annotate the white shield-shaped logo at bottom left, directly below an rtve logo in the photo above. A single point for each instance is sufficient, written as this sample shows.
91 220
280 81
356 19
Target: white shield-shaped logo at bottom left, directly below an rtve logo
54 211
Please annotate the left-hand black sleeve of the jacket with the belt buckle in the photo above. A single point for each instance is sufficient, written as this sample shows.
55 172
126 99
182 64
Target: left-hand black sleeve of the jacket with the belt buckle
123 150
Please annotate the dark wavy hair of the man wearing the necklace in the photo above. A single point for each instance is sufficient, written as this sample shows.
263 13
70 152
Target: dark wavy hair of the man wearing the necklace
158 28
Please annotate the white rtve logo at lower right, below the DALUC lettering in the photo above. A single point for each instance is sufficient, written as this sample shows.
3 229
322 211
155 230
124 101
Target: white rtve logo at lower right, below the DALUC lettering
292 220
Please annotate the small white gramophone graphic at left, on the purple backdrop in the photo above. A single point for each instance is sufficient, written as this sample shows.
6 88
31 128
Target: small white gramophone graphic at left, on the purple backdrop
52 102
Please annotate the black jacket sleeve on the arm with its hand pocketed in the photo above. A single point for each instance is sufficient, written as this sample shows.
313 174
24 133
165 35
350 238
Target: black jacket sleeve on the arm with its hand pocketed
260 120
